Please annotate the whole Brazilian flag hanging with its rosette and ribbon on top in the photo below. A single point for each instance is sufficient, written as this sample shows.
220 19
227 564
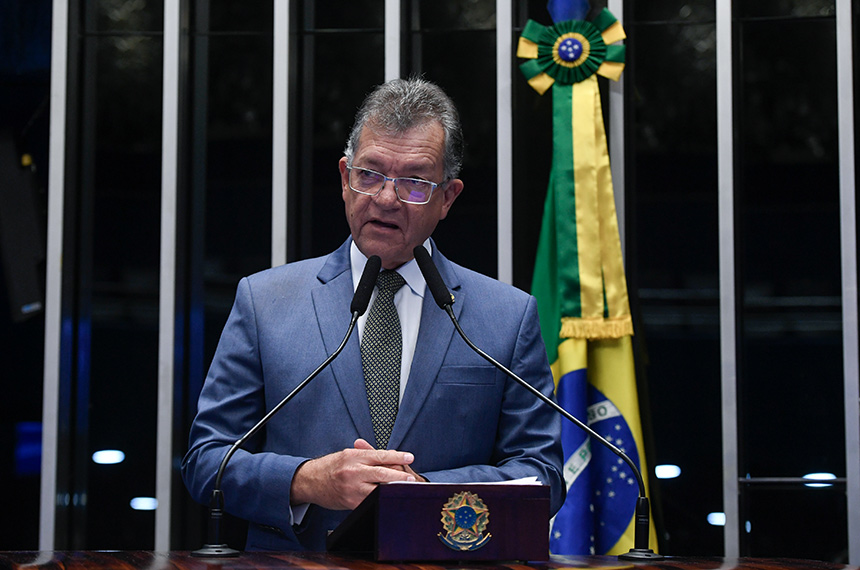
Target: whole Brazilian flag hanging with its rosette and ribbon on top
581 289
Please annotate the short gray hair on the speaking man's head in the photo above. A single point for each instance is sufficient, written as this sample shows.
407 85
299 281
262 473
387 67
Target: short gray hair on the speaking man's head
401 104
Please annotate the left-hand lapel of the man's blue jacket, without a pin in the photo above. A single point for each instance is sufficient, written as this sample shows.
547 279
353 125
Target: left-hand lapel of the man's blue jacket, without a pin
331 304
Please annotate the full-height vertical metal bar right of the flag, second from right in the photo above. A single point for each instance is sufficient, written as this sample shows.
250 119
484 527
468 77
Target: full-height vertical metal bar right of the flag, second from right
728 327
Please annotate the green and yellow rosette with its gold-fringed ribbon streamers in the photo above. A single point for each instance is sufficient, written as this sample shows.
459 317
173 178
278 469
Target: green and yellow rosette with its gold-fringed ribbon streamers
581 278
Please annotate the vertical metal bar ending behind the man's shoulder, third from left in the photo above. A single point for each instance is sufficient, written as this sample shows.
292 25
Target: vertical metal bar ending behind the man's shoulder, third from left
280 131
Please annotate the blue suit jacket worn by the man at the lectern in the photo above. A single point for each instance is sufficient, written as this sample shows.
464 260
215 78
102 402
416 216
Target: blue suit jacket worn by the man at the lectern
463 420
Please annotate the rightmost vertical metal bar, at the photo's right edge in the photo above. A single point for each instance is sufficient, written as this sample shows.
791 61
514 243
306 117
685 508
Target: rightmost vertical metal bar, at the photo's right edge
848 231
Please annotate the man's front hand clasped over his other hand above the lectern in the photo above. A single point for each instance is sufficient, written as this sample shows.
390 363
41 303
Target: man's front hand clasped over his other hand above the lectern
341 480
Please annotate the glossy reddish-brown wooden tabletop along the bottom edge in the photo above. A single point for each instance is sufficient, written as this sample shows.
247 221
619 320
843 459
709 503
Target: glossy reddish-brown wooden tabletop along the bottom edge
182 560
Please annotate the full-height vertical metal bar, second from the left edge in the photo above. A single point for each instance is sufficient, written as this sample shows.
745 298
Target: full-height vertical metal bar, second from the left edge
167 273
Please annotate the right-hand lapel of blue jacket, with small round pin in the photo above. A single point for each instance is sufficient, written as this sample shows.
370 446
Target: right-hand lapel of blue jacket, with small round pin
434 335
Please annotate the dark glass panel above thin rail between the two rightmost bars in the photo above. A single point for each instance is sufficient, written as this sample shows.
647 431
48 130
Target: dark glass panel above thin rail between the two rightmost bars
789 254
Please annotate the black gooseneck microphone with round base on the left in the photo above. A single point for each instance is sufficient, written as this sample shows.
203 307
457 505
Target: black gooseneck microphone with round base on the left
214 548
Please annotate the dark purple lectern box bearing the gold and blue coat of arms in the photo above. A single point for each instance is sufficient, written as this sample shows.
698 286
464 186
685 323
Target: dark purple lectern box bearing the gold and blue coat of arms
435 522
